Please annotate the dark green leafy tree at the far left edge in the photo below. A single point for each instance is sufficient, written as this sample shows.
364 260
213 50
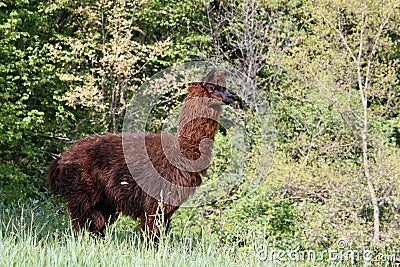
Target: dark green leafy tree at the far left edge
28 90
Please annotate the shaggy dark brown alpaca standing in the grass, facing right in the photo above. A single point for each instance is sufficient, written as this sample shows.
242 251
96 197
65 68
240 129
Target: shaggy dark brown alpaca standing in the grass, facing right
137 174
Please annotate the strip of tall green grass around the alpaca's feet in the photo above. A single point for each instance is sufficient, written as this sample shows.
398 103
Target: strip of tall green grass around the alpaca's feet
36 235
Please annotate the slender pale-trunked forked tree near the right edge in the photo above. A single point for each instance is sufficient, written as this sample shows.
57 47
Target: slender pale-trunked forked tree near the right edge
359 31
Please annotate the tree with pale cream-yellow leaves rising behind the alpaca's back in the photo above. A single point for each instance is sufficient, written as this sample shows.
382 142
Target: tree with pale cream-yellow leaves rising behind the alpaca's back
115 46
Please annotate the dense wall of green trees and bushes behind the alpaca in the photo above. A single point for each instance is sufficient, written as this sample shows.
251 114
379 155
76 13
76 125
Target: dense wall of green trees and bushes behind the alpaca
329 70
